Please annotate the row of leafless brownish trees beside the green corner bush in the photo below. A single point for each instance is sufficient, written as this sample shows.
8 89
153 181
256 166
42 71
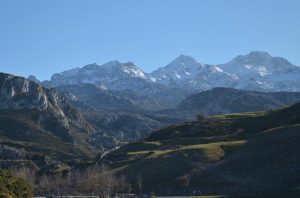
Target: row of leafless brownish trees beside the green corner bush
93 179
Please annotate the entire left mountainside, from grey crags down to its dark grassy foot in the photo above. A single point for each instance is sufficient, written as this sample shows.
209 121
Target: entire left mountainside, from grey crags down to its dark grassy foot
41 121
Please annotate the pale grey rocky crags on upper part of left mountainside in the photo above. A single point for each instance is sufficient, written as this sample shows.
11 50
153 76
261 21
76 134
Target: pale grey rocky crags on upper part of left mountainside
48 109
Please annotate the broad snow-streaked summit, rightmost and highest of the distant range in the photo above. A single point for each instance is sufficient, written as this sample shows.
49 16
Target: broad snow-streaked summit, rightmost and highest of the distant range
262 72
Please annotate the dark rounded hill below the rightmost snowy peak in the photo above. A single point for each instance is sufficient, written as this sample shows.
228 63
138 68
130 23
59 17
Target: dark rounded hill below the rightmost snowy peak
229 100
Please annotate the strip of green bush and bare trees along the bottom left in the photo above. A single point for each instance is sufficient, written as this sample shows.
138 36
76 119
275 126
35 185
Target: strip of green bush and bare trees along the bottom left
88 181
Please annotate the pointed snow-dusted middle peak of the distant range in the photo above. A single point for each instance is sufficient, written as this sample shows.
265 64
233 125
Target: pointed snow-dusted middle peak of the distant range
186 73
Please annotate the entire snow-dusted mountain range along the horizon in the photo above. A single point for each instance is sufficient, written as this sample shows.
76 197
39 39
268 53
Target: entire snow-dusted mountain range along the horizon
257 71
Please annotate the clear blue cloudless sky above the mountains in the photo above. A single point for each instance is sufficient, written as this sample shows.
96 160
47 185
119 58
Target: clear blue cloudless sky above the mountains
42 37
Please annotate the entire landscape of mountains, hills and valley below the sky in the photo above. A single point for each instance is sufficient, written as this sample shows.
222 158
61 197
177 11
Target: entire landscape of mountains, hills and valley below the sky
184 129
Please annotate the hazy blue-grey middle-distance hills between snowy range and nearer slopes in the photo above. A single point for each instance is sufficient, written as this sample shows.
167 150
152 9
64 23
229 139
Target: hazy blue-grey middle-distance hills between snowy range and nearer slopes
129 116
